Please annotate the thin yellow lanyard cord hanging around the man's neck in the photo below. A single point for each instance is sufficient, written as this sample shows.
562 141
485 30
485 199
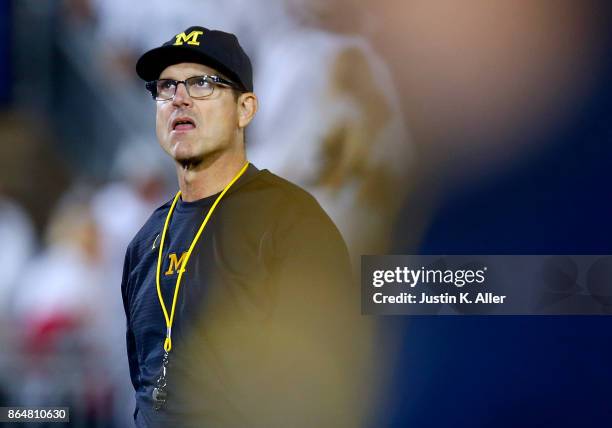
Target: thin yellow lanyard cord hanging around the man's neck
170 319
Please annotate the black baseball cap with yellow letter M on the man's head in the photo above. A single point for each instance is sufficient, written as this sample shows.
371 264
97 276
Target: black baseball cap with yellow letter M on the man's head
214 48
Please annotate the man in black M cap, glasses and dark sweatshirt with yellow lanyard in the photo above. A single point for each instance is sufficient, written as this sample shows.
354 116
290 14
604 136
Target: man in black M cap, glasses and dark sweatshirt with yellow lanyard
237 292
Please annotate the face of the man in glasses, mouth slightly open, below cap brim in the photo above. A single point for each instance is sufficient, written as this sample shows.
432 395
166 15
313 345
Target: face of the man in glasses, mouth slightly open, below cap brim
214 120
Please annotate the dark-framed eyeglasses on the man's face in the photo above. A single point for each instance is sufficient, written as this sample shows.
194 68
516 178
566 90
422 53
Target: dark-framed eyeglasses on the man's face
198 87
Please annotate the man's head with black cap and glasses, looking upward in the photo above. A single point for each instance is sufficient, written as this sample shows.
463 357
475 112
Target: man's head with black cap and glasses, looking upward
202 81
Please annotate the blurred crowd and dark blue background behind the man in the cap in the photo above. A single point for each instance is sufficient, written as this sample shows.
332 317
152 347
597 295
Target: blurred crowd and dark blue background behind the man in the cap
420 126
